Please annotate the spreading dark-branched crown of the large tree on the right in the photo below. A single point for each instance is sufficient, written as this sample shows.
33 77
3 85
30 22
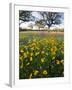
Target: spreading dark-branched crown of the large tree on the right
51 18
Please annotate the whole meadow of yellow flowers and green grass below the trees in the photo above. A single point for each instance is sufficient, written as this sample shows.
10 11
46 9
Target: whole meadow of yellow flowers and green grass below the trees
41 55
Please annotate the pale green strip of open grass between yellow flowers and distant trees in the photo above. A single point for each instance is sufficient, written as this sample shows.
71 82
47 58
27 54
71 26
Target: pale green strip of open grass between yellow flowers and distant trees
24 36
